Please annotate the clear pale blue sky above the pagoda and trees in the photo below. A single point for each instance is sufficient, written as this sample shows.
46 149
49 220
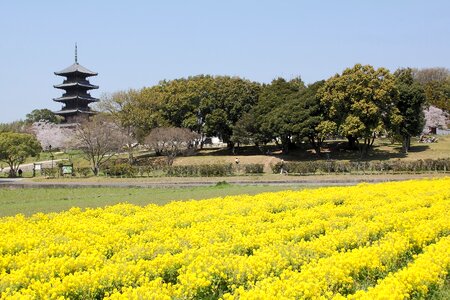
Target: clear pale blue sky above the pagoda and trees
132 44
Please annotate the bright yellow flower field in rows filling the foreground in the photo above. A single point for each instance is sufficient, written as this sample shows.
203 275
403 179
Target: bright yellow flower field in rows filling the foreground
386 241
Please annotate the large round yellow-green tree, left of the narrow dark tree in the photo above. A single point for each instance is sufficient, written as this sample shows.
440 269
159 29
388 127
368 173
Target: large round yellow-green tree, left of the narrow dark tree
360 101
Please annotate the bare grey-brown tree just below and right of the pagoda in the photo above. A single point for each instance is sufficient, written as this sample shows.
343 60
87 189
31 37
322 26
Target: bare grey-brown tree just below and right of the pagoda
99 139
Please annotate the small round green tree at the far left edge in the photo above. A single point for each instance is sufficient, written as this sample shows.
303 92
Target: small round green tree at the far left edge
15 148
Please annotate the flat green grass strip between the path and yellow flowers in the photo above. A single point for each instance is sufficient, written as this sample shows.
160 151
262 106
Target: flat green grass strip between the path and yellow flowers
33 200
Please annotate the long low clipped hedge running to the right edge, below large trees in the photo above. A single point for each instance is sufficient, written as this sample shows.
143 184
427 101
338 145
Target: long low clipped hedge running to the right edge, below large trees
312 167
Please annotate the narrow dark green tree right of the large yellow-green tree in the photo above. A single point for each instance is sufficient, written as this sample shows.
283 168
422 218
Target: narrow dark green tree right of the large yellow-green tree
411 100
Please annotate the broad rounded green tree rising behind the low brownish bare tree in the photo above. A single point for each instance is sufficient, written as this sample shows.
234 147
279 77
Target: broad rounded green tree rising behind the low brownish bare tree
208 105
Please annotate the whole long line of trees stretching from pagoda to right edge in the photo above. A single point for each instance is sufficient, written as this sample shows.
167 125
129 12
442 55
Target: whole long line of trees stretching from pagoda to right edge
359 104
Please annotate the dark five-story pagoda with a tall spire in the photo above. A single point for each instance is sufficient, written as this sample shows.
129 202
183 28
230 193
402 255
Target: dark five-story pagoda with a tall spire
76 98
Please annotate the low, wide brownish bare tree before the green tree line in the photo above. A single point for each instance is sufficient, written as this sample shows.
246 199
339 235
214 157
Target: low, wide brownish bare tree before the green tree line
171 141
